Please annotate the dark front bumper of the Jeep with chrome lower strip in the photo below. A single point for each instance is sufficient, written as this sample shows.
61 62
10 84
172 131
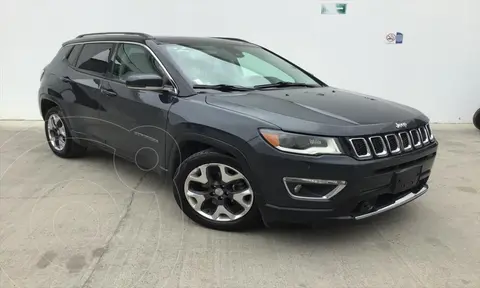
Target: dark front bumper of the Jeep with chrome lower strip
368 183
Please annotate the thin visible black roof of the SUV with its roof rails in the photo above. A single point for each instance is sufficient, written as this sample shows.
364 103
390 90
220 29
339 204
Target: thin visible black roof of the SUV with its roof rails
142 37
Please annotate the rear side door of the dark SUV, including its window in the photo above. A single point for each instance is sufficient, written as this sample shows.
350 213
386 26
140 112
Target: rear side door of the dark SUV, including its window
87 69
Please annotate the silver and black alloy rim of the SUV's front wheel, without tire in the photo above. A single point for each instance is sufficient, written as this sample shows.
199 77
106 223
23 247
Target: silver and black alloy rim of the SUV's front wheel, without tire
218 192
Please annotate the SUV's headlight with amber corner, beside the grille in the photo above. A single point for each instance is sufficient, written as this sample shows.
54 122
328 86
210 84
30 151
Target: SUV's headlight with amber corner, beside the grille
301 144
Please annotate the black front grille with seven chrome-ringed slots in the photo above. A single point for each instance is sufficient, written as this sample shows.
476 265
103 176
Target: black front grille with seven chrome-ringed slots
391 144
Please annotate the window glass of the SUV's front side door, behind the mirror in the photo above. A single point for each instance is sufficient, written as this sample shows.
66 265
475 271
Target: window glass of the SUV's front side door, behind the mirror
133 59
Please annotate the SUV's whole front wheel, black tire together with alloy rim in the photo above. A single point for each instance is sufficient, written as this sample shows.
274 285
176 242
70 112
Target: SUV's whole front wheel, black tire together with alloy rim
248 217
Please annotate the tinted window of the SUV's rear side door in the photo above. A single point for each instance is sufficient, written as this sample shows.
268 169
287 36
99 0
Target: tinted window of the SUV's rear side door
94 58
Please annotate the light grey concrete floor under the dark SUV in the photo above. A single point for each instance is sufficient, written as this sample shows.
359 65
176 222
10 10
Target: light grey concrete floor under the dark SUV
101 222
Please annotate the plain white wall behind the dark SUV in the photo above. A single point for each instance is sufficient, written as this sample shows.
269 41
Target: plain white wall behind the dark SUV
436 70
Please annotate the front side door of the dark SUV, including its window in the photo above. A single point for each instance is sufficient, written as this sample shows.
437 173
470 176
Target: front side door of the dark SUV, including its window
140 117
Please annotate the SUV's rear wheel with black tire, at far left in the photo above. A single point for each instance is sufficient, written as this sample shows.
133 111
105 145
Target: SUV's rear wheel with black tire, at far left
70 149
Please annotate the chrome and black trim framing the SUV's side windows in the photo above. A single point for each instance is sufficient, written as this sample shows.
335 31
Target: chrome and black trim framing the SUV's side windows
108 75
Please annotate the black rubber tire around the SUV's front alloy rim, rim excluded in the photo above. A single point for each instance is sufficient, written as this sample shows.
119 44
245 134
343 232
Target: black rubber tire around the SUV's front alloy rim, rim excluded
249 220
